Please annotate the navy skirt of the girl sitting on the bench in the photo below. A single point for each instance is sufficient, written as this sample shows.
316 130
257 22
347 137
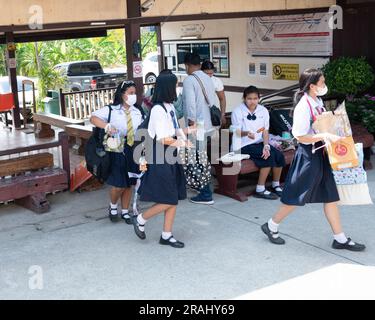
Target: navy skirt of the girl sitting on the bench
255 151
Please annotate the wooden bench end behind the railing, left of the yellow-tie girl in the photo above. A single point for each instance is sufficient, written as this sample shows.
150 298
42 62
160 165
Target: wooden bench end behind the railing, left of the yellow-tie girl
43 123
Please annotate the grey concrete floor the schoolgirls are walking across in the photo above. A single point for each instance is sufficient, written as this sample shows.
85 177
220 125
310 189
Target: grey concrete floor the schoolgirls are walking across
81 255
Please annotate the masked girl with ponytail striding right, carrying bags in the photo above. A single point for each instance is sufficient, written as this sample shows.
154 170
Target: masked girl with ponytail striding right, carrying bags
310 178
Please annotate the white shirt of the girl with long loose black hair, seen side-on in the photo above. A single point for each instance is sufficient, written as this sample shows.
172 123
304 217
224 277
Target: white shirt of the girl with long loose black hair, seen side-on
161 123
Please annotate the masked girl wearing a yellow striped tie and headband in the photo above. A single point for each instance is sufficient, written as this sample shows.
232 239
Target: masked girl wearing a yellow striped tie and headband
125 118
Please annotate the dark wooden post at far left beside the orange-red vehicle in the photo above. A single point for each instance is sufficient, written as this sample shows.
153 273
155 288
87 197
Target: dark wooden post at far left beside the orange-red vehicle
12 73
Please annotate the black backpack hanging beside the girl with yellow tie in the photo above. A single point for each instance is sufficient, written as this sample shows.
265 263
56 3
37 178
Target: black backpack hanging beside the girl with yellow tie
97 159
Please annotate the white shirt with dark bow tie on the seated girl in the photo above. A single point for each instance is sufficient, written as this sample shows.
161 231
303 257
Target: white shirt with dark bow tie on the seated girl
240 121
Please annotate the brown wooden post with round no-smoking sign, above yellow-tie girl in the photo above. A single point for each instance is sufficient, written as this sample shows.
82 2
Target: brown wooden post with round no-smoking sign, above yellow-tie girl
133 44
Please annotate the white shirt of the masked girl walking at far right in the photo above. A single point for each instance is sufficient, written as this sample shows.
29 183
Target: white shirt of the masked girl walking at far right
302 120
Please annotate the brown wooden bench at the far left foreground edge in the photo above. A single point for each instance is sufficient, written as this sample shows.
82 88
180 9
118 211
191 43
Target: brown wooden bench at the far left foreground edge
28 179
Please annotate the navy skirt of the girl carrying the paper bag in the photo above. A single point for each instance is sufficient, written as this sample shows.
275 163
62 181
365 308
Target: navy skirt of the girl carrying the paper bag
310 179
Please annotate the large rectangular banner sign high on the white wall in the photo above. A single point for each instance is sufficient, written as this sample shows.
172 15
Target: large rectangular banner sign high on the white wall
291 35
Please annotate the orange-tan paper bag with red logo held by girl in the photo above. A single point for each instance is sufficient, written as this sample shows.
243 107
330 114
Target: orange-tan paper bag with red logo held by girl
343 155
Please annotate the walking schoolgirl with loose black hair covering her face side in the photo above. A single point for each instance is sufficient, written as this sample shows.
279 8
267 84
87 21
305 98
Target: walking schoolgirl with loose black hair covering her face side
164 182
